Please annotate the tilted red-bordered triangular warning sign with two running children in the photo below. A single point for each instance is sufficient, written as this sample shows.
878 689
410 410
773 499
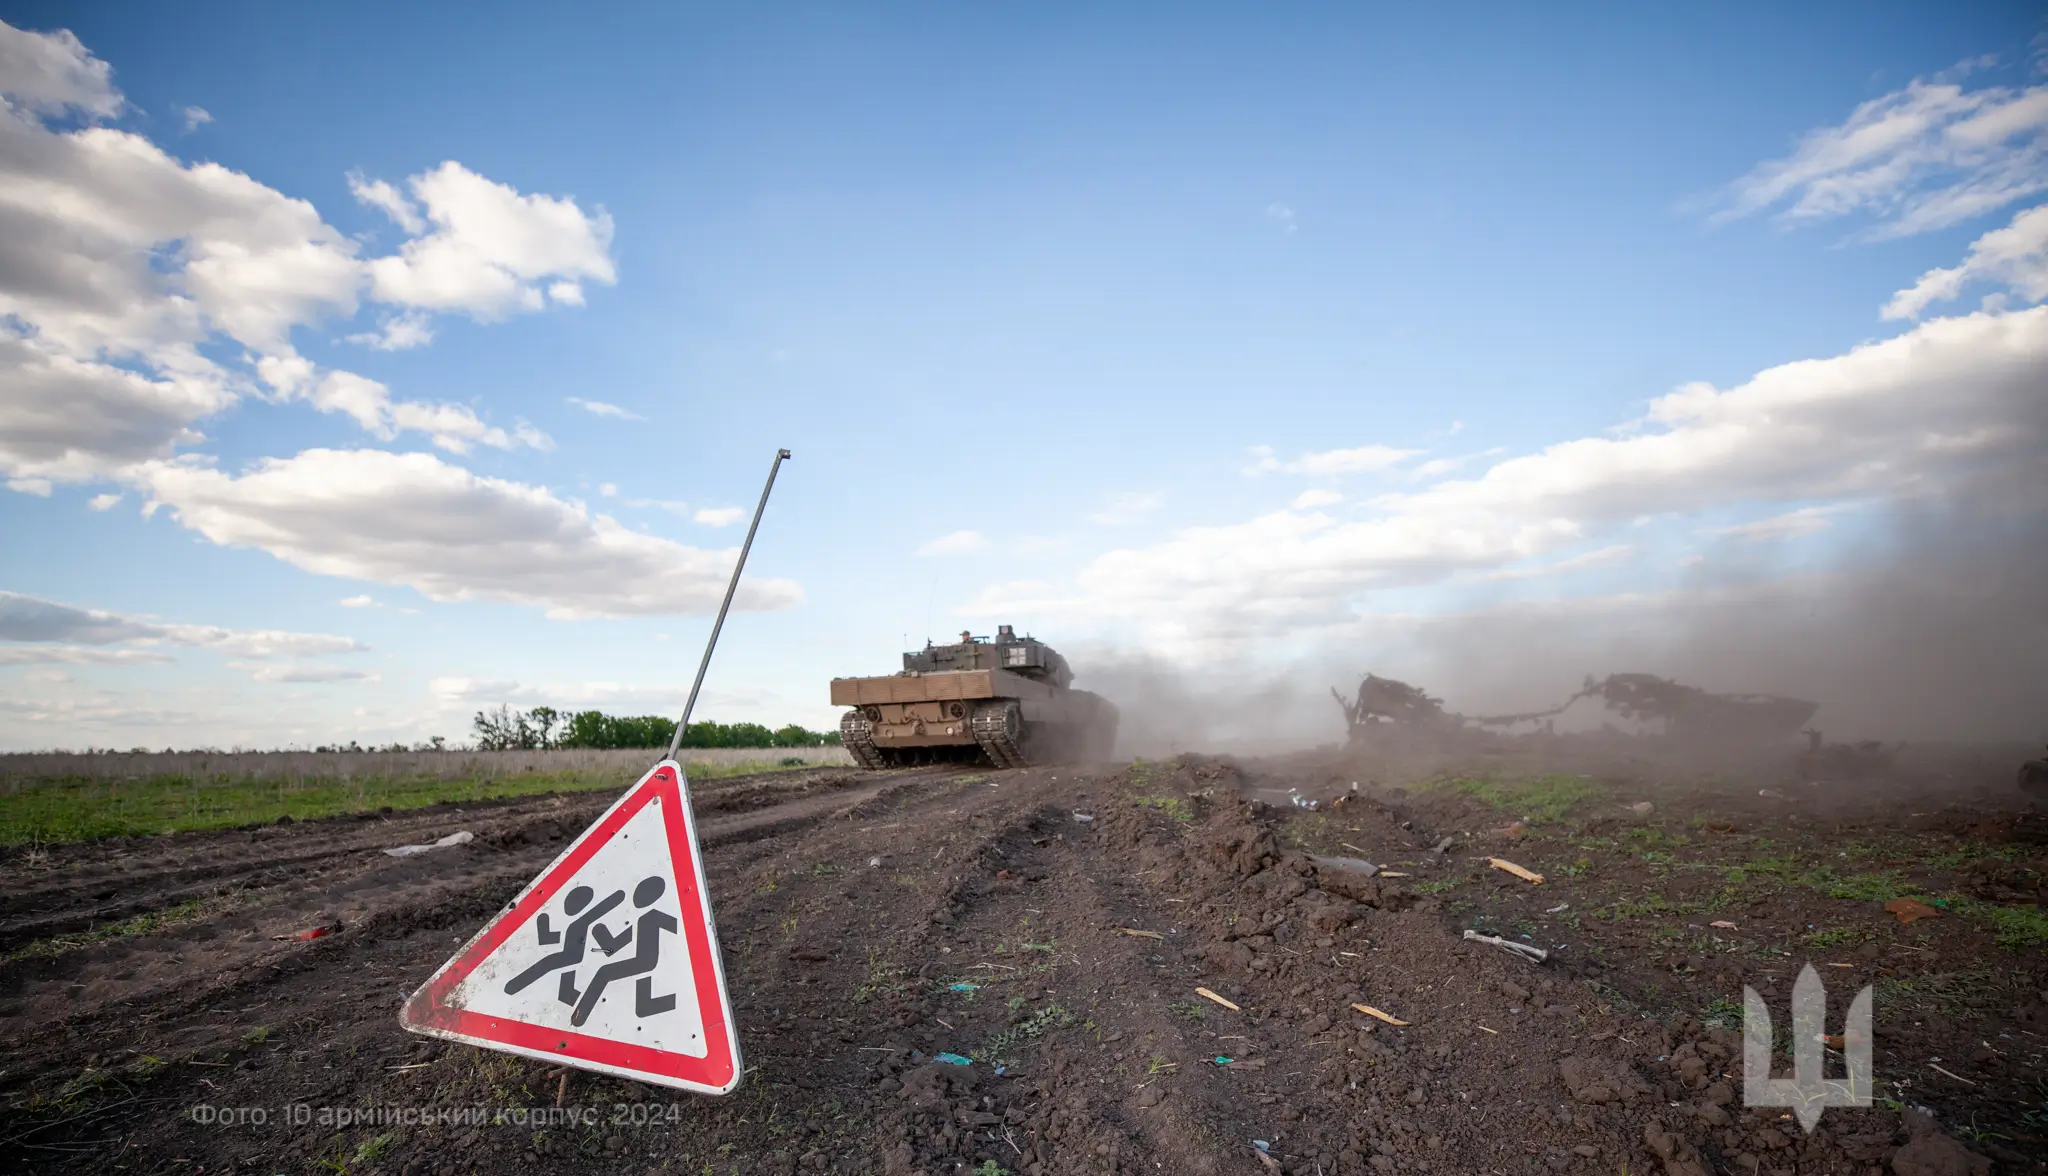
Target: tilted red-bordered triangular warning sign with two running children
607 962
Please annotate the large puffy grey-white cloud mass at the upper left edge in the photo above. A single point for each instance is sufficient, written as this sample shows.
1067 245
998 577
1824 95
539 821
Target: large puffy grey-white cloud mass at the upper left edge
142 296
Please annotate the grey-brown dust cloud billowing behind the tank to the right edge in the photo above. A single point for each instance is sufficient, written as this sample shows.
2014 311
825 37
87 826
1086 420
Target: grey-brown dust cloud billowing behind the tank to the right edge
1934 628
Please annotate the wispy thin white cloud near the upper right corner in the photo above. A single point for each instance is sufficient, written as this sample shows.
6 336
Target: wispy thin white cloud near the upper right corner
1920 159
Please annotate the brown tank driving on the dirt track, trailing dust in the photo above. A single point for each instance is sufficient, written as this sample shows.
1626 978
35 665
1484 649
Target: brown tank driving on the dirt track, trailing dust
1005 702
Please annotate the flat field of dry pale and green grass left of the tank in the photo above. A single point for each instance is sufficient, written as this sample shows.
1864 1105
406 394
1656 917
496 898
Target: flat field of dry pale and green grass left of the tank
67 798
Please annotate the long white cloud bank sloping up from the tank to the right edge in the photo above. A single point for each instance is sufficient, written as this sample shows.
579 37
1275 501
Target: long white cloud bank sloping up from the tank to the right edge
1951 401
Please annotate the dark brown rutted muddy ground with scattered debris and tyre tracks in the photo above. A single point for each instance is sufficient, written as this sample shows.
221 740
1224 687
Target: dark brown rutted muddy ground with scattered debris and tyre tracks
878 921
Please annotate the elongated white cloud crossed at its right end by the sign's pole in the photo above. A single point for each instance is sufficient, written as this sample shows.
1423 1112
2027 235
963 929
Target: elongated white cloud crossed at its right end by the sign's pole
450 534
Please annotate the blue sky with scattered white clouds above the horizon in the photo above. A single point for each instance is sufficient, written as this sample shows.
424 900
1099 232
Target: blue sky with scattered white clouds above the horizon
353 382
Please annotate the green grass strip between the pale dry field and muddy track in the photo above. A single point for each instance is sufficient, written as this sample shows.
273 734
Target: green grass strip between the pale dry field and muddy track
81 810
